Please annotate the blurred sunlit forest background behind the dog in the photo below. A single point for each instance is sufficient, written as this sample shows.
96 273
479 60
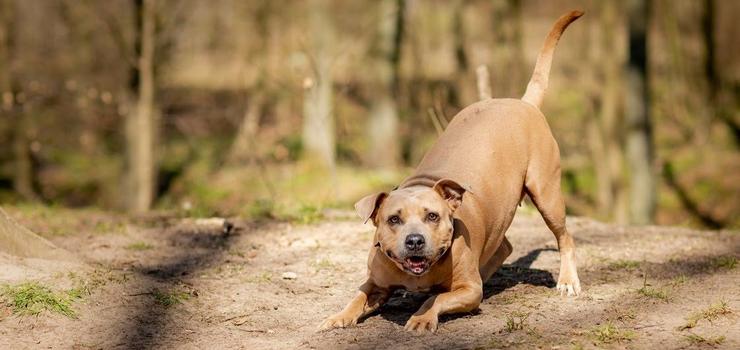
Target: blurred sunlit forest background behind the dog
284 108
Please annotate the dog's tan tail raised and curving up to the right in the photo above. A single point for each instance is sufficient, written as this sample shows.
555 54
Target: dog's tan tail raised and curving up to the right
537 86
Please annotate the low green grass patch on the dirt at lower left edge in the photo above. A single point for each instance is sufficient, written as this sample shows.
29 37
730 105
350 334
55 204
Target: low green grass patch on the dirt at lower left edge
32 298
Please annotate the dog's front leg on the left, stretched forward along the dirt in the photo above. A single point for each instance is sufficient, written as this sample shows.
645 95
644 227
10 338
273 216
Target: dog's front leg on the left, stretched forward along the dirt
370 298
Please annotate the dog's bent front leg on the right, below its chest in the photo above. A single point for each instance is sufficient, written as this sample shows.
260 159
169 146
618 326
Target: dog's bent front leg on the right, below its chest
461 299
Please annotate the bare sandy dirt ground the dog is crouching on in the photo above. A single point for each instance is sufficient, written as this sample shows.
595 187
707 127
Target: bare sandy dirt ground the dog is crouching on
231 294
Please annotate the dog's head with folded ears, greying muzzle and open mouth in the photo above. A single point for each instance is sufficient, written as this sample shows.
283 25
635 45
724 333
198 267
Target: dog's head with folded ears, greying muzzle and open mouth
414 225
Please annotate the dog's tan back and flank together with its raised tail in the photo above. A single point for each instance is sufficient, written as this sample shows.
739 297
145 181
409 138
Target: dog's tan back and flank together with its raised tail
489 145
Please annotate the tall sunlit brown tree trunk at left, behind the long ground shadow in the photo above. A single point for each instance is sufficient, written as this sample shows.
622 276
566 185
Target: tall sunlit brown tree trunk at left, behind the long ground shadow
141 120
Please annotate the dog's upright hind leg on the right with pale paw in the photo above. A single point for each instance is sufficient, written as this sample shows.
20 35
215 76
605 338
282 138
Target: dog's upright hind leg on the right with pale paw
543 187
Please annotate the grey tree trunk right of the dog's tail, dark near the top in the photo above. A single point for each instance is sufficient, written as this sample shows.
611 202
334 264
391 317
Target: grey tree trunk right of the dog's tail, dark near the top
639 126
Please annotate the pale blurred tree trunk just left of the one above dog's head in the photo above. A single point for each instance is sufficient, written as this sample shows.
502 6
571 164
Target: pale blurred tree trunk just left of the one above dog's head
318 116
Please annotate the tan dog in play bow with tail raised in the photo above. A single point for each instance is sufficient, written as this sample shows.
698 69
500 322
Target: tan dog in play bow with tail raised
503 149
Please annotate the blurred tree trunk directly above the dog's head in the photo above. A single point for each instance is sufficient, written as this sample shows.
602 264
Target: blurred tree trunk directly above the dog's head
385 149
